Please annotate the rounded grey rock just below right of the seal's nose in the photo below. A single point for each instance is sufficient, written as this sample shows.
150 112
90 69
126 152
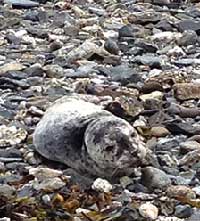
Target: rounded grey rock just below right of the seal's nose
155 178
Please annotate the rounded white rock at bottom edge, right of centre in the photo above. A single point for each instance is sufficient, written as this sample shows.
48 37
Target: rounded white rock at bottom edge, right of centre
148 210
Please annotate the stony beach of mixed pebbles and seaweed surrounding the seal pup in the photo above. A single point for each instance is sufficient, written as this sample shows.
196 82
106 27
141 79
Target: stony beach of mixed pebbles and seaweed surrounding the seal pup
139 59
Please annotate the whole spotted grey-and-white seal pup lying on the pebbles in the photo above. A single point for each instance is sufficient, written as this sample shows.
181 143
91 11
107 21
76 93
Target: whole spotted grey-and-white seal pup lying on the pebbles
88 139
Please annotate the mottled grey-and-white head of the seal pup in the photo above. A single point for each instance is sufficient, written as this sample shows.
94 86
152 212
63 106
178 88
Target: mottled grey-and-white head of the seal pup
113 143
